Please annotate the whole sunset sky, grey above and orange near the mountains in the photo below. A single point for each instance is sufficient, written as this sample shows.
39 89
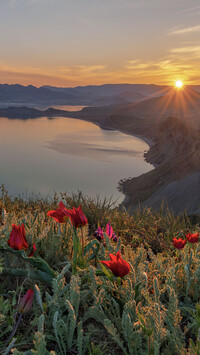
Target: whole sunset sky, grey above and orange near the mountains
92 42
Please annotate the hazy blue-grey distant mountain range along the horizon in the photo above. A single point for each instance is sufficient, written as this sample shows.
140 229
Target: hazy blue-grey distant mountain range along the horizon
102 95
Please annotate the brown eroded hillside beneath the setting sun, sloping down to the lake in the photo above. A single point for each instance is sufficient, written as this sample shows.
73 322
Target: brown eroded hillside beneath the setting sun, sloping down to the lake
171 125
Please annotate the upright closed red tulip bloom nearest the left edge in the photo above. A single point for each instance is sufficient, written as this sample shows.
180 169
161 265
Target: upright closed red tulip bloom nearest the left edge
17 238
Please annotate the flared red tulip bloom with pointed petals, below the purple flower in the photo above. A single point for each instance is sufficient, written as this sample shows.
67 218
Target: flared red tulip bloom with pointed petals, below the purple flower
117 265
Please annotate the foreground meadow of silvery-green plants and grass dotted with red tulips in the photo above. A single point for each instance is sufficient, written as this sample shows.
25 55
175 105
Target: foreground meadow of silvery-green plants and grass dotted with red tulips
58 297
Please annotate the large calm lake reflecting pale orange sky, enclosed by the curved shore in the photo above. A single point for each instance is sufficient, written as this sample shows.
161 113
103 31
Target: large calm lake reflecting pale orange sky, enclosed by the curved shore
46 155
